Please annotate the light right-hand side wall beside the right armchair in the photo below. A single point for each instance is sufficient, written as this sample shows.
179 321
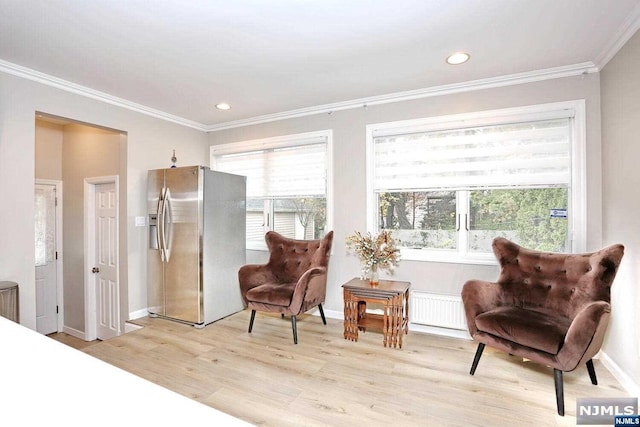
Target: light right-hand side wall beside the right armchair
621 203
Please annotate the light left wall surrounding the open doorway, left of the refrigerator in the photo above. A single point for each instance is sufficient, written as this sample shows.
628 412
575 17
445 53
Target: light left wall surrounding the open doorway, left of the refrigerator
149 145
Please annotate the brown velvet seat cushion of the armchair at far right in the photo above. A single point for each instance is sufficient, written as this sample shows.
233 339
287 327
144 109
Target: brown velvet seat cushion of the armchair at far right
527 327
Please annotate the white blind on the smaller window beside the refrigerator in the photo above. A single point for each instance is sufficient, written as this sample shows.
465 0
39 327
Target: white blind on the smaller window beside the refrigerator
295 169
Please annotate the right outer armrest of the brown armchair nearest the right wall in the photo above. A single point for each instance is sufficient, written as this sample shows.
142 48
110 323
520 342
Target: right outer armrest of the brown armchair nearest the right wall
585 335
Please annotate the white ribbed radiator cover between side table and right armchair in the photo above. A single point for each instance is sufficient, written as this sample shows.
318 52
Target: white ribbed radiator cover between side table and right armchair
444 311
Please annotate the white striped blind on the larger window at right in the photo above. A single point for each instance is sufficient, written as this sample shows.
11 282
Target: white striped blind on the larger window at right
516 154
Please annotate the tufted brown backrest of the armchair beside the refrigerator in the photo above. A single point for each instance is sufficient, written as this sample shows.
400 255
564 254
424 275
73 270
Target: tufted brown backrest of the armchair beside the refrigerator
290 258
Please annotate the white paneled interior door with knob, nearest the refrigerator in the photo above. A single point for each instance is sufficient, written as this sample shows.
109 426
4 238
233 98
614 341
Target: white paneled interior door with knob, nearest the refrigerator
106 262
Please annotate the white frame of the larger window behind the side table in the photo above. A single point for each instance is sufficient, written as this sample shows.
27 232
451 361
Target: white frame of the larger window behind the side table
575 110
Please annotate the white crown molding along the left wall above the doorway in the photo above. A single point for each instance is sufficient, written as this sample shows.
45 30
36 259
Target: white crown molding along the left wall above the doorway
48 80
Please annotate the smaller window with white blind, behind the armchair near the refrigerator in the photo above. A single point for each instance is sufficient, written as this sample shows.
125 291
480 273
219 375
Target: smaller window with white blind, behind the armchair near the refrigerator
287 183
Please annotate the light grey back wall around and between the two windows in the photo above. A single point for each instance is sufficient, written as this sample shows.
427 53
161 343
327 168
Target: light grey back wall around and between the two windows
349 169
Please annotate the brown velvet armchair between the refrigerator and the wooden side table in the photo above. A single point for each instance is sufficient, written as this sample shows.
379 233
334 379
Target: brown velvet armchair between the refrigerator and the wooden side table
292 282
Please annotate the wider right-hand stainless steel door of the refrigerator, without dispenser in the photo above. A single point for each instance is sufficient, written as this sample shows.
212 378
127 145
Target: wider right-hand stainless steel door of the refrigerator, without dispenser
183 284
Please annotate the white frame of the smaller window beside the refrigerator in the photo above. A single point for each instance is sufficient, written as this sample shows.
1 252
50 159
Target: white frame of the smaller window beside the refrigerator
279 142
